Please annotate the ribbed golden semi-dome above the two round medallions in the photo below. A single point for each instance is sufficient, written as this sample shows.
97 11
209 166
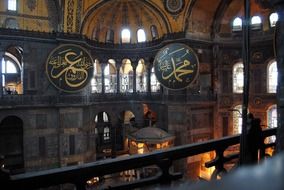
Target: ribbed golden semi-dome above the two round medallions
116 15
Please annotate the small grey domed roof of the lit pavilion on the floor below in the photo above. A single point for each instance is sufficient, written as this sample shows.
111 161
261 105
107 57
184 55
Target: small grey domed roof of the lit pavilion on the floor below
151 134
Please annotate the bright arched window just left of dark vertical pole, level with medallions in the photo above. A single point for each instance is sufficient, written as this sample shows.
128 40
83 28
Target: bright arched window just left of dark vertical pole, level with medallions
238 78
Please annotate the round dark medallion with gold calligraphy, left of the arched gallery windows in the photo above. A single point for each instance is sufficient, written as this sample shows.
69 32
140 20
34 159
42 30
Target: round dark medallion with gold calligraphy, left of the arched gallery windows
69 67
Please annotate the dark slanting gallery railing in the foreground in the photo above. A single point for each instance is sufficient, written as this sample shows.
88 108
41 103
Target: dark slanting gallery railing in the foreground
163 159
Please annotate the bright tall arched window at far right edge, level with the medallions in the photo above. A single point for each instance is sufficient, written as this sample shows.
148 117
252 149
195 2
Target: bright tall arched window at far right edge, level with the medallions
272 75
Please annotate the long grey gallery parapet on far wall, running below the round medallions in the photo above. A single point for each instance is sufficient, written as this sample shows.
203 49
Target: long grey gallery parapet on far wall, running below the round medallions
29 100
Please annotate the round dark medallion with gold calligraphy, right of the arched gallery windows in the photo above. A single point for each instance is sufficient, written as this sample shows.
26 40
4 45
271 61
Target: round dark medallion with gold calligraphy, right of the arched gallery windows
176 66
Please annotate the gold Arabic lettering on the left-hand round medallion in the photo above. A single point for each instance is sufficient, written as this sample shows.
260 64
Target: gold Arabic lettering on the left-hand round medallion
71 67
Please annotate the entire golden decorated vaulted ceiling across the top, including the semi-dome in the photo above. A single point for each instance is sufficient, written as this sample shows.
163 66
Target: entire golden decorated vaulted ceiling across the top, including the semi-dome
94 18
